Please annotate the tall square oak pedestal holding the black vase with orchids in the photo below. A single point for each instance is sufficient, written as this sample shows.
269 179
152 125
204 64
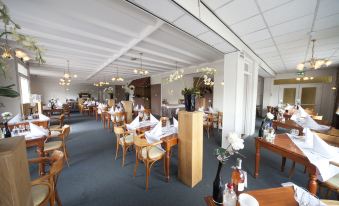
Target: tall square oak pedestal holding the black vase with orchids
190 147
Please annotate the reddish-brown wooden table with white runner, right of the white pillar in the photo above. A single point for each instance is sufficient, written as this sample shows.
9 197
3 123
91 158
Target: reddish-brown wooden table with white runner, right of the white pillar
285 147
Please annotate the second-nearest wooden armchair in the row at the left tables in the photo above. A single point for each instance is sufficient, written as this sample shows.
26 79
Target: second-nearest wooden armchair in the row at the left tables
50 146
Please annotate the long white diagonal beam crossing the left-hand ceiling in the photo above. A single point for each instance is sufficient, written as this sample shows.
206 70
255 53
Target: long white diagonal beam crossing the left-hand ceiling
145 33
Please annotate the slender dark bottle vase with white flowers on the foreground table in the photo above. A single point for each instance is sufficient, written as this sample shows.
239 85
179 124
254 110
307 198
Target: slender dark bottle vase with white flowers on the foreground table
235 143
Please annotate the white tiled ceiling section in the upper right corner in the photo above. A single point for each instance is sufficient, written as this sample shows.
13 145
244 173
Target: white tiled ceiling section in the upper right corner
279 30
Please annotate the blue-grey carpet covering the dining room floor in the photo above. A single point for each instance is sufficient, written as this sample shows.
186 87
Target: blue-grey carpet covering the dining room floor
95 178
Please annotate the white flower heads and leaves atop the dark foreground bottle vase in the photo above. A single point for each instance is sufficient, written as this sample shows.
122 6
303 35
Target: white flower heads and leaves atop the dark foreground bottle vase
235 143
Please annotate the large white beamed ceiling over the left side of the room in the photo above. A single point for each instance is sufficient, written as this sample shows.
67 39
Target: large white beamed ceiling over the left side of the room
99 36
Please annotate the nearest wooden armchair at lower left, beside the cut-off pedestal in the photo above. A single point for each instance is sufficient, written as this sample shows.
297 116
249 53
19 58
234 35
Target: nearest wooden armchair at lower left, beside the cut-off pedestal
44 188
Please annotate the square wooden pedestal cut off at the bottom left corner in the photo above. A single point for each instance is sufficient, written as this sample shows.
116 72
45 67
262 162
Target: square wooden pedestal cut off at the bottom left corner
15 188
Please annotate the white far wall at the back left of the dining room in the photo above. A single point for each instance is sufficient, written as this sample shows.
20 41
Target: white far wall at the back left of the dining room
49 88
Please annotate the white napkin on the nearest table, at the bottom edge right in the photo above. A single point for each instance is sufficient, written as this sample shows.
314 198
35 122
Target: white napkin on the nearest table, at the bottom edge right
303 197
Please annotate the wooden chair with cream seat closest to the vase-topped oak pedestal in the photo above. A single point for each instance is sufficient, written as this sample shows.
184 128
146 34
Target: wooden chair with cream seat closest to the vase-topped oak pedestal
148 154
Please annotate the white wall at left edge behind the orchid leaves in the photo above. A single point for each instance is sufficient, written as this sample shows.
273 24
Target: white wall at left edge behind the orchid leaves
10 104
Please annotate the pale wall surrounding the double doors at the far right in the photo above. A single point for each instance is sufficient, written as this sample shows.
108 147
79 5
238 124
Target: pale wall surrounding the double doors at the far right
271 92
